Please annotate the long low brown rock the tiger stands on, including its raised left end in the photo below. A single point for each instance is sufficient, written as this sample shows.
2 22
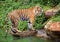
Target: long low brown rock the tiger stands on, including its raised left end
23 33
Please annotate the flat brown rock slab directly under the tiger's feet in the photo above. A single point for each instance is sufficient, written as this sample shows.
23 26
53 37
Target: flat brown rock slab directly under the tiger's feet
25 33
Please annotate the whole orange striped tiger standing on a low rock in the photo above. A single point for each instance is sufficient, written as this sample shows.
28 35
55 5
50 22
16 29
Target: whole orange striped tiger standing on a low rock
24 14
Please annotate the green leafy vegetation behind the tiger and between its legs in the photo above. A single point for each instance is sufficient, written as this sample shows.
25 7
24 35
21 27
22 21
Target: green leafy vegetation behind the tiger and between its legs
7 6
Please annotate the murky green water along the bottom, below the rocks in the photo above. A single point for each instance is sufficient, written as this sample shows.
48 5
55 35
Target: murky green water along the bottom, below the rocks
10 38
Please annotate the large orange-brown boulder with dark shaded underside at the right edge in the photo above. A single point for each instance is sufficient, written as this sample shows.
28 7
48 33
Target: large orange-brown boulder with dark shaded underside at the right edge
53 29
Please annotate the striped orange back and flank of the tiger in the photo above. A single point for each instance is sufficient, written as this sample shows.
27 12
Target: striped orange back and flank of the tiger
23 14
